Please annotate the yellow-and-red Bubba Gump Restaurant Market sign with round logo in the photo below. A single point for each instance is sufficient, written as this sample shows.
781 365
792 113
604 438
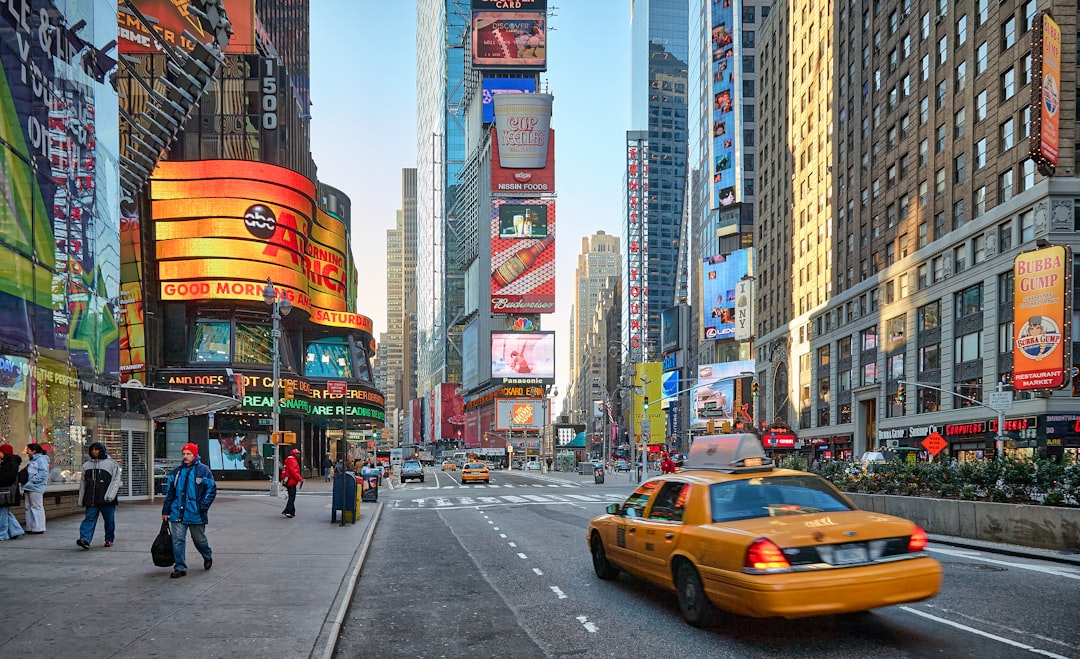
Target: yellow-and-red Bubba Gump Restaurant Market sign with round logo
1043 314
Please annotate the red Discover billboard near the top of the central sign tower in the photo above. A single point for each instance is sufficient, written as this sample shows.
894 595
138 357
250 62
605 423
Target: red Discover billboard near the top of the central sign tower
510 41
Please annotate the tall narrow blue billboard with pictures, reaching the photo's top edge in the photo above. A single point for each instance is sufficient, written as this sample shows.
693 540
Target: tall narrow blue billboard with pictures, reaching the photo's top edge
725 129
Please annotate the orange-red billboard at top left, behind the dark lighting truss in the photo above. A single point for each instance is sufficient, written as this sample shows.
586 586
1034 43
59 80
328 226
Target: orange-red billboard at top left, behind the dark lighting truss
172 21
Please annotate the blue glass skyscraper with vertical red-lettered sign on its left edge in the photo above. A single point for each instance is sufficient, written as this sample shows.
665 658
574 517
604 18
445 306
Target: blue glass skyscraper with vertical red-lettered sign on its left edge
659 55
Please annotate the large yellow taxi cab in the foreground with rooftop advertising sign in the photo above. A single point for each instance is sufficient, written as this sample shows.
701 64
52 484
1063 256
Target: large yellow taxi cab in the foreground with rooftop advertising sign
733 532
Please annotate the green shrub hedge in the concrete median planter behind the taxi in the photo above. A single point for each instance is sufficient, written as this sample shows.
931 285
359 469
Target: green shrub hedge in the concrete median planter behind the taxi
1011 480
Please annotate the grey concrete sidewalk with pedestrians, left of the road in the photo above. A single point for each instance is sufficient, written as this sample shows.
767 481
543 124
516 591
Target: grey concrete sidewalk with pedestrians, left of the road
279 587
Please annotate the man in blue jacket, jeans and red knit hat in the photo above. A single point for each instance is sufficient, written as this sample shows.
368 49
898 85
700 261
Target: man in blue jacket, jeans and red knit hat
192 492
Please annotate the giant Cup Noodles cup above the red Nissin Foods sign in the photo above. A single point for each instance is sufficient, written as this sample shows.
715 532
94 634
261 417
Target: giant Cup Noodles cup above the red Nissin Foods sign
521 124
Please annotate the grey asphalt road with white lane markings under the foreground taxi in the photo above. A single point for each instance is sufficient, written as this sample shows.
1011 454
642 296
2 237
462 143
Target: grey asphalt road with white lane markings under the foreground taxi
504 571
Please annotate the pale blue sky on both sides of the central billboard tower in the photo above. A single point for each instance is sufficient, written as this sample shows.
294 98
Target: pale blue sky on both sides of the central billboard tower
363 129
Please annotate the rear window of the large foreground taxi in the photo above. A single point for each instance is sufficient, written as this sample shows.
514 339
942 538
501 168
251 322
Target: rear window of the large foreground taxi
773 496
